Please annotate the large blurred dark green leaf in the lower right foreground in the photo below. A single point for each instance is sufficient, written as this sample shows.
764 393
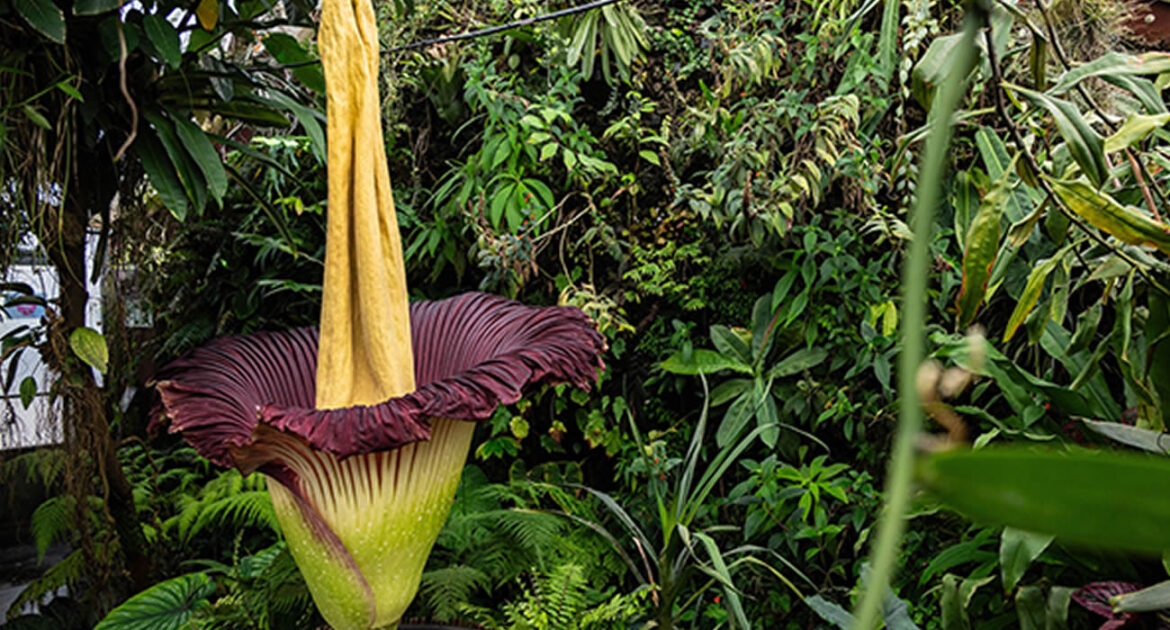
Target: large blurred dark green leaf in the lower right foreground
1099 499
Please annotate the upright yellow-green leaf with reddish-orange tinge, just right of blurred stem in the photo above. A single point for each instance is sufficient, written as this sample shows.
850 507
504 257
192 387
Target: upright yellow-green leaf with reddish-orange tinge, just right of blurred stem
982 246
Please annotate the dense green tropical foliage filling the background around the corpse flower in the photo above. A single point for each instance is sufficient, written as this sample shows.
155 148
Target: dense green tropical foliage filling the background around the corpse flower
726 189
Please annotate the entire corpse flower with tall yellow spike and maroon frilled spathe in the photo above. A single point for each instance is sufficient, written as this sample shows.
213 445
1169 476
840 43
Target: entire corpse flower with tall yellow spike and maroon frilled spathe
363 430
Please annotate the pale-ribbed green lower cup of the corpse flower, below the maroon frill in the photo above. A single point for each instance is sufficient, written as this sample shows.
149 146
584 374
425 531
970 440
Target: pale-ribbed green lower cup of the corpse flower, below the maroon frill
366 528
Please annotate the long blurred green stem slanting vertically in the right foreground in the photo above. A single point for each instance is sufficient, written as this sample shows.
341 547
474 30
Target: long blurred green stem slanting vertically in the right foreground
914 298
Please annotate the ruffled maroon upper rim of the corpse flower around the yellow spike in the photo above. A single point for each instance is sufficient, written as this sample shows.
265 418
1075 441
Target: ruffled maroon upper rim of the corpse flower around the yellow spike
472 354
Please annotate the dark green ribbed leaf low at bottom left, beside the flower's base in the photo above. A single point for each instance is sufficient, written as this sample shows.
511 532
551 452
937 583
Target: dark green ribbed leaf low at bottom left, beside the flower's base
167 606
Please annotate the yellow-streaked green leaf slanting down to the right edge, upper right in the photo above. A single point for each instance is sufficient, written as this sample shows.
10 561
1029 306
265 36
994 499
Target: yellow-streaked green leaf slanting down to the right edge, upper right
1125 224
